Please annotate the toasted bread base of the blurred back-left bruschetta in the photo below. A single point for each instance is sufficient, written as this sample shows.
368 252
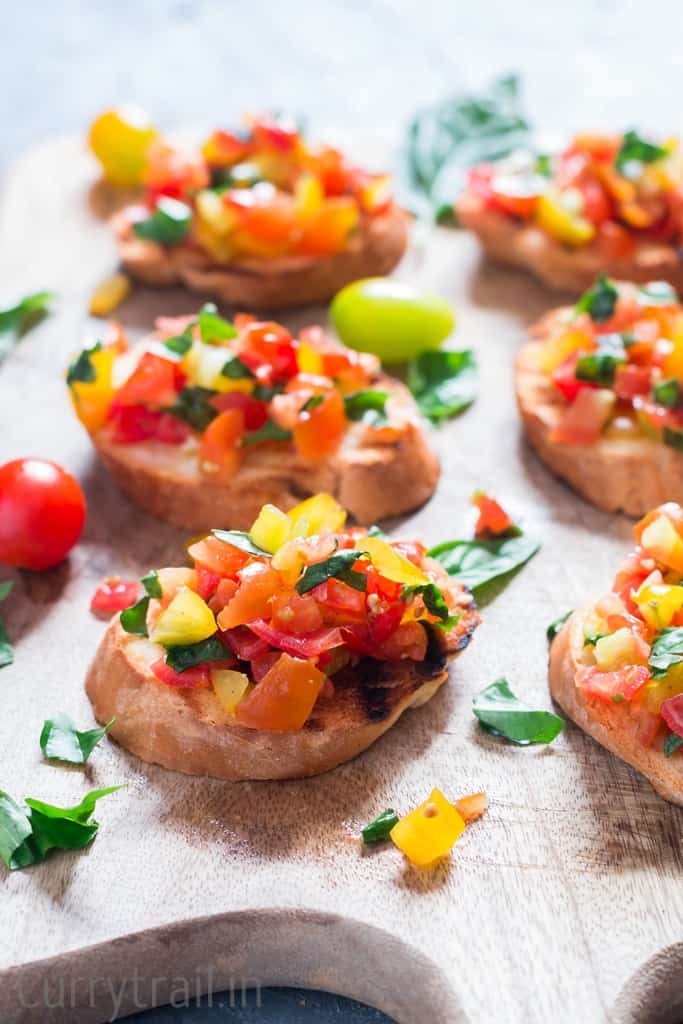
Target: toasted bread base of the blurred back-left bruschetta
278 284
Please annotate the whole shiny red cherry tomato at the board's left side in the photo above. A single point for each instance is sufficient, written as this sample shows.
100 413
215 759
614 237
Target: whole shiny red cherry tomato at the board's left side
42 511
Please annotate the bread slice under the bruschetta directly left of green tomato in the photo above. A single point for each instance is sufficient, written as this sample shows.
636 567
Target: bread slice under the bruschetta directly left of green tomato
374 475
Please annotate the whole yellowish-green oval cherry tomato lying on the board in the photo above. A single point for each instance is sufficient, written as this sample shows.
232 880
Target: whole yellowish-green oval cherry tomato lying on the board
391 319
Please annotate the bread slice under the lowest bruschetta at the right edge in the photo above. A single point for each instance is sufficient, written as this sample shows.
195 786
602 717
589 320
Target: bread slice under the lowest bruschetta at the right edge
610 724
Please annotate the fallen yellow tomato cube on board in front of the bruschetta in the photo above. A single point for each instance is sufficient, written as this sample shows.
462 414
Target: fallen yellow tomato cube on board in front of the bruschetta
429 833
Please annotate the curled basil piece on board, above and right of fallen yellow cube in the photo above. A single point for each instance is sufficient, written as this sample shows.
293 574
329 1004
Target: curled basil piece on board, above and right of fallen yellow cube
501 713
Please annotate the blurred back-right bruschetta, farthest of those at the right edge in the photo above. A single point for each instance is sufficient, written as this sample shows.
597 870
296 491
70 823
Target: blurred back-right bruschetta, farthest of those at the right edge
608 204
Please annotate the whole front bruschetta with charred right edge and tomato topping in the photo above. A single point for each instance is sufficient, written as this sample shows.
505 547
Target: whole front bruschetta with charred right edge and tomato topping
284 652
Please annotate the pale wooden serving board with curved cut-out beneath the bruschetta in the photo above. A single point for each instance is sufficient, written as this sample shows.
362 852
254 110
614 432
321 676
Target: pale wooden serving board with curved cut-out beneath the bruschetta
551 906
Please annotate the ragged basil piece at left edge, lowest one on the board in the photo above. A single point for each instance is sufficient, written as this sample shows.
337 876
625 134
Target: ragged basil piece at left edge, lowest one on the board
28 836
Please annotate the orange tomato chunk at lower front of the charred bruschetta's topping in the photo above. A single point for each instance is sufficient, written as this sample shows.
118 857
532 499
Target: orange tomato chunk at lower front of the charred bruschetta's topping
285 698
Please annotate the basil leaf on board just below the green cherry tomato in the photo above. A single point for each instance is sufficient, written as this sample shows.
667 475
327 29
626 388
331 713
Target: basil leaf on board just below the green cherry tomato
444 383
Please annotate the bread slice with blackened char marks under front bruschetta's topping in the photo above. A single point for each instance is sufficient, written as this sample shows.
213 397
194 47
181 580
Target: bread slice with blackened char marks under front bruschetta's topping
188 731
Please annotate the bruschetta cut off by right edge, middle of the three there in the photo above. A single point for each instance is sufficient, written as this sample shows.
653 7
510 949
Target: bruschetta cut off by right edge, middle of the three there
600 393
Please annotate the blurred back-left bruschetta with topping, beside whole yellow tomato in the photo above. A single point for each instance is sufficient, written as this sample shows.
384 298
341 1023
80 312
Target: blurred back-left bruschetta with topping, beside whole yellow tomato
260 220
